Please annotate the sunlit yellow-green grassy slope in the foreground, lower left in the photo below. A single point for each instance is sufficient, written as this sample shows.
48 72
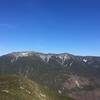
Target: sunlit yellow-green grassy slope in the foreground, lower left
18 88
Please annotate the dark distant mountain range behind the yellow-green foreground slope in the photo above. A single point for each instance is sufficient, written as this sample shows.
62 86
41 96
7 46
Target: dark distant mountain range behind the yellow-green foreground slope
67 74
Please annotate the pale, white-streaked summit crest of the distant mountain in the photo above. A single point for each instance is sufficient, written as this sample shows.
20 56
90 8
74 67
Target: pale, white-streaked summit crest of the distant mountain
44 56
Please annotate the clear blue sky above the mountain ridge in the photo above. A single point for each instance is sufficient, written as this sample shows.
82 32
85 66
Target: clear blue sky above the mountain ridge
57 26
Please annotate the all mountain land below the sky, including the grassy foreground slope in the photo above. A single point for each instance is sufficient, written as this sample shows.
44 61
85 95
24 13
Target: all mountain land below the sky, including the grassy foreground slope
41 76
